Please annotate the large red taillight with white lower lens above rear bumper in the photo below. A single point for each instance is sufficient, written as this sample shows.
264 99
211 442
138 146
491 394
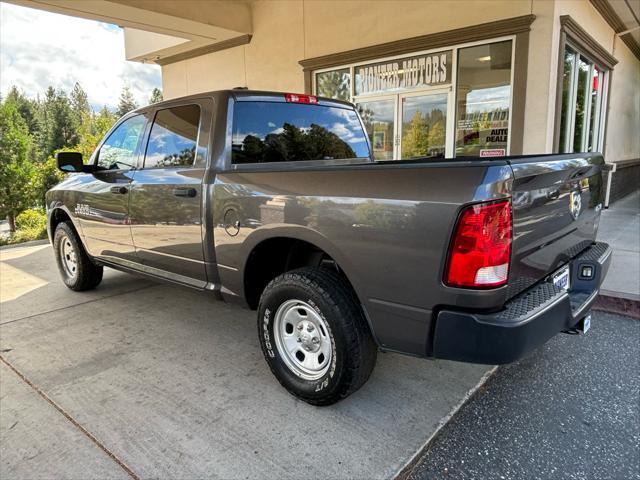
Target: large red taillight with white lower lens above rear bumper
481 248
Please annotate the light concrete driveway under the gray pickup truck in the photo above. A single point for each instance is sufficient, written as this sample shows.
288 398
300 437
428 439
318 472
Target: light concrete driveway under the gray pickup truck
140 380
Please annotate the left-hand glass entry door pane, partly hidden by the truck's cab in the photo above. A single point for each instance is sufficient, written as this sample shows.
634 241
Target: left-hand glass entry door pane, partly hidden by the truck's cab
379 121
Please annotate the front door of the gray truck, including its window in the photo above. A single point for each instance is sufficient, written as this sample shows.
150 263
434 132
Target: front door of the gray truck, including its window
103 202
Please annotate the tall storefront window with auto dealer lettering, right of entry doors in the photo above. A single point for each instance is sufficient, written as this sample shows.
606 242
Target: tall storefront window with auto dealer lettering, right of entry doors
483 100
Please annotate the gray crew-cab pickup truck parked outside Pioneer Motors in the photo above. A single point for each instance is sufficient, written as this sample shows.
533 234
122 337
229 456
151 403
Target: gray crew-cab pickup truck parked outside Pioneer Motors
274 200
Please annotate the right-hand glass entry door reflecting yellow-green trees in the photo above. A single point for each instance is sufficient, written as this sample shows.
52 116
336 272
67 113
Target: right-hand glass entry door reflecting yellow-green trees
423 124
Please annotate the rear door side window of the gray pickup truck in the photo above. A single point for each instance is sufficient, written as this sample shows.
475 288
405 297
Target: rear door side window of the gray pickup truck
173 137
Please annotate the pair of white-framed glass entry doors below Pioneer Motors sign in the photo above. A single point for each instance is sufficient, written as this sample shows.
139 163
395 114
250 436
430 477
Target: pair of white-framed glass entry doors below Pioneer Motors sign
411 125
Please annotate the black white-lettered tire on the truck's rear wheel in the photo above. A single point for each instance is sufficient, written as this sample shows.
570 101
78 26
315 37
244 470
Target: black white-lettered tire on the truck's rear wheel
353 348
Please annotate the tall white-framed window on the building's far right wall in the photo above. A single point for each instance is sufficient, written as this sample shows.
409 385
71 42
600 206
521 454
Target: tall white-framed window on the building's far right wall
582 98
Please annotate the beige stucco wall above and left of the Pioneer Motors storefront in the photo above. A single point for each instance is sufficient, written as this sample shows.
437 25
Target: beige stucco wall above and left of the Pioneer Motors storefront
285 32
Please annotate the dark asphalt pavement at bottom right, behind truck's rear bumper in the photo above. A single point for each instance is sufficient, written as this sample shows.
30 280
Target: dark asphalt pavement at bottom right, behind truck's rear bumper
570 410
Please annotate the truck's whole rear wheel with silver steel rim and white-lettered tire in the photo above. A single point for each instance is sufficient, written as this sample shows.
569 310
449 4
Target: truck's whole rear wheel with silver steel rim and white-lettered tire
314 335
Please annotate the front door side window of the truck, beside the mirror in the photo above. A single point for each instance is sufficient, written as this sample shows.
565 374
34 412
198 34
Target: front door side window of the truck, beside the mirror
119 151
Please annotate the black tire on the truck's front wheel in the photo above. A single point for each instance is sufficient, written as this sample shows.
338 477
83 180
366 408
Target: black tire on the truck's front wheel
86 275
